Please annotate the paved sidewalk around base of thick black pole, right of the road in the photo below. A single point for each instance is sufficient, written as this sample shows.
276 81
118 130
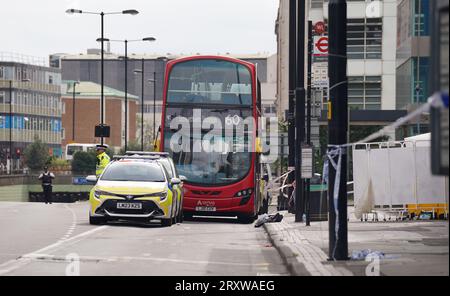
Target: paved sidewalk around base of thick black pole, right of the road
406 248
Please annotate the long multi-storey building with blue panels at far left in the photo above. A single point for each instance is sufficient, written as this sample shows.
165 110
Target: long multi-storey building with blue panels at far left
30 106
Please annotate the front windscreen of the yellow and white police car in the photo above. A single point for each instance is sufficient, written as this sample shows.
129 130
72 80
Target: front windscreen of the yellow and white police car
133 172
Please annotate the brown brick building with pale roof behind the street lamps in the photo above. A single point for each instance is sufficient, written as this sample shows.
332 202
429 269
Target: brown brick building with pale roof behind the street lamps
87 114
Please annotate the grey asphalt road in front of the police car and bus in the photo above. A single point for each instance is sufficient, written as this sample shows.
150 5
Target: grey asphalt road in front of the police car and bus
39 239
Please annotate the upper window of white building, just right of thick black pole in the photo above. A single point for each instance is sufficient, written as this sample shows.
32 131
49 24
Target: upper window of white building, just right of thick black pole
364 38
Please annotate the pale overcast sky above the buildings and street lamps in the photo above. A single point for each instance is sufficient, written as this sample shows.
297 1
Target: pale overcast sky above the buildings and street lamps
41 27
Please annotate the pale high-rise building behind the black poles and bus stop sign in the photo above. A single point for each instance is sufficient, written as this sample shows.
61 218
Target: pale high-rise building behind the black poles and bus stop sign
371 65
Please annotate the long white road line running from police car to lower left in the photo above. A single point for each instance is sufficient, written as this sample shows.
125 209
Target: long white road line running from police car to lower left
12 265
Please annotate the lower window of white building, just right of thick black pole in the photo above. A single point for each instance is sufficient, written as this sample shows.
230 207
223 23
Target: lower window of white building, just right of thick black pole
364 92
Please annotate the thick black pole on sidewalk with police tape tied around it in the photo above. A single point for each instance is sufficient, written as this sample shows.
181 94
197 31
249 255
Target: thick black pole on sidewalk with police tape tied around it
337 127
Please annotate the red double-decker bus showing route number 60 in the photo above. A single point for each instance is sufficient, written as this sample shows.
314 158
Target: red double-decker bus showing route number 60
209 101
